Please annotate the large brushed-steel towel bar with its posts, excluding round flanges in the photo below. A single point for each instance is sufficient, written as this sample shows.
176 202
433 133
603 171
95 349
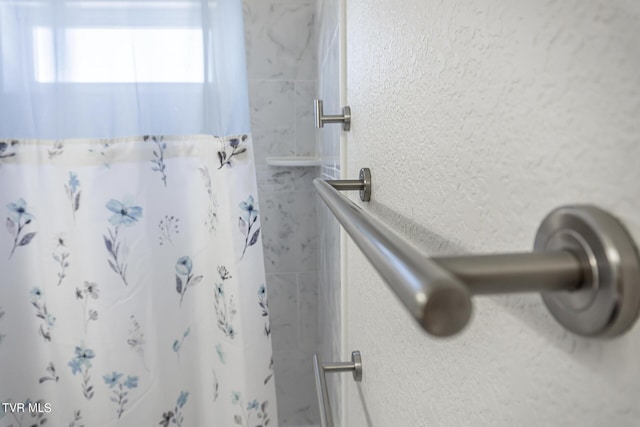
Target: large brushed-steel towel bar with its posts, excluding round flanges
418 280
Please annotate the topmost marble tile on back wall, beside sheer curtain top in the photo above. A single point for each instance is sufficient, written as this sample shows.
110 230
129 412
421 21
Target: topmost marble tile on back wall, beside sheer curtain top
279 37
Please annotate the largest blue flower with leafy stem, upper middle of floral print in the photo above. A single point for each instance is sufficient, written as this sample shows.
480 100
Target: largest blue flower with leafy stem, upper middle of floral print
124 215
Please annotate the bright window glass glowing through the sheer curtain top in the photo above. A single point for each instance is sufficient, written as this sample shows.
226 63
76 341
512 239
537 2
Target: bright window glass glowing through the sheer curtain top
119 55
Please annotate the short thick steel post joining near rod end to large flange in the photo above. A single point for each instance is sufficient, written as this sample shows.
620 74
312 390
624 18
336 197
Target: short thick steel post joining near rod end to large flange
518 272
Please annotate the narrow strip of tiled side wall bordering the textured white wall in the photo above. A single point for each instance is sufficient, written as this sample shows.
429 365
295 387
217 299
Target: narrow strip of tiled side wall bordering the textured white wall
328 54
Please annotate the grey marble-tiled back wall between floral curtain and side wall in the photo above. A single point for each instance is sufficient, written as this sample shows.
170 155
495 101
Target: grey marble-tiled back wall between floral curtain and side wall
281 62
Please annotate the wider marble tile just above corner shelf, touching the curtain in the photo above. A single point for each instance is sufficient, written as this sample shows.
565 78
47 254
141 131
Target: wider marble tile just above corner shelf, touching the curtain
273 118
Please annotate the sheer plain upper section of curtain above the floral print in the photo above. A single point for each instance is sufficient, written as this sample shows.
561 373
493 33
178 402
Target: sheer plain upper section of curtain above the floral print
112 68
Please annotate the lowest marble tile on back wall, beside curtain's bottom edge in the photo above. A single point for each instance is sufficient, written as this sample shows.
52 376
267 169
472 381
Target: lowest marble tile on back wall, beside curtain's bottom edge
295 388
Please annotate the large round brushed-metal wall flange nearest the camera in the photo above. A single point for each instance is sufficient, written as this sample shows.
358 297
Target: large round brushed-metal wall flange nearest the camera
608 302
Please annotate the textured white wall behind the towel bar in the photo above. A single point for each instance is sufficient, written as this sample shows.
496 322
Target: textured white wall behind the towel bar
477 118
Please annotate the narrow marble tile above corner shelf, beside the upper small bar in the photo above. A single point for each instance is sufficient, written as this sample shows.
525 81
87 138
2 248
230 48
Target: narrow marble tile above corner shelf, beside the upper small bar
305 126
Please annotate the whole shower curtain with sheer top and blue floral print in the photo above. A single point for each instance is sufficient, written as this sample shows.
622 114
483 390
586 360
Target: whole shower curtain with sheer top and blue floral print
132 288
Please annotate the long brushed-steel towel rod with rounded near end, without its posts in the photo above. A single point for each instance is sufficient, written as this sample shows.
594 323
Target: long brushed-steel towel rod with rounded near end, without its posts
440 302
